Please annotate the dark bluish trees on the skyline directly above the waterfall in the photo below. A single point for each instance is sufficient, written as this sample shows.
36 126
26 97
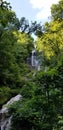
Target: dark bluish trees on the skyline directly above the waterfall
30 28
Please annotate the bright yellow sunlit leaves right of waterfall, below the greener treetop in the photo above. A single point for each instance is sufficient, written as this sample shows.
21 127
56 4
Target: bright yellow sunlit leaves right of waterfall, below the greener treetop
51 41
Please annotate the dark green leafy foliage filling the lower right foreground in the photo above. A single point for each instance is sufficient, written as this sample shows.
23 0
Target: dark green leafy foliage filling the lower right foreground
41 105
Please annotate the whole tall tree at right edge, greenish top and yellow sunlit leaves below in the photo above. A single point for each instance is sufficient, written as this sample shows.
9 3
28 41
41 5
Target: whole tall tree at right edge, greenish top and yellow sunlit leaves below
50 41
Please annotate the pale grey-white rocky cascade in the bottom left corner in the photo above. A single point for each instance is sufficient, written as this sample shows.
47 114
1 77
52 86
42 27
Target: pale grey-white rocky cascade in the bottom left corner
5 120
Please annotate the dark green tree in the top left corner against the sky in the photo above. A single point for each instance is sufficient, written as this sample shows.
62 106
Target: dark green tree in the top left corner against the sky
9 20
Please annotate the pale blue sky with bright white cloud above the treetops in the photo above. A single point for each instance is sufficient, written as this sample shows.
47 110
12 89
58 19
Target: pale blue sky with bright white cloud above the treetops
32 10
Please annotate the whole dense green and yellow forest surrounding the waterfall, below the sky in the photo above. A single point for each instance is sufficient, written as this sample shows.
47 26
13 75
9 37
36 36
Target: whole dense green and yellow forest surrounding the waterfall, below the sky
41 107
